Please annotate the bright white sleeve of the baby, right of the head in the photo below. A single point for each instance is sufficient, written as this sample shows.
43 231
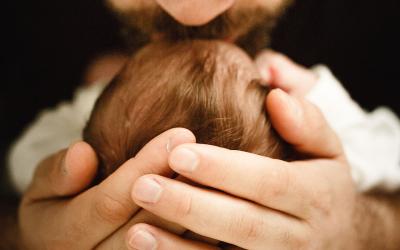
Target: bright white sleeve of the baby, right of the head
371 140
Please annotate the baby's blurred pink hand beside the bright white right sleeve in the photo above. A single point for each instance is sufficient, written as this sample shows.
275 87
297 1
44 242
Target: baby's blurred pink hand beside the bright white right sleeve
281 72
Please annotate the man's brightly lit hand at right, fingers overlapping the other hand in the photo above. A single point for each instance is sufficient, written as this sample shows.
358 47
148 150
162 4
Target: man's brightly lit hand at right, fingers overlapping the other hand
262 203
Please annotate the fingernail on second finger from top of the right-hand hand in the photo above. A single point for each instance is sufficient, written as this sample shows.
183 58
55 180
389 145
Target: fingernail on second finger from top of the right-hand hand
147 190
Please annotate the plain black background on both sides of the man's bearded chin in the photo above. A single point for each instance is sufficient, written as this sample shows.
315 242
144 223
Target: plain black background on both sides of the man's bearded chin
46 45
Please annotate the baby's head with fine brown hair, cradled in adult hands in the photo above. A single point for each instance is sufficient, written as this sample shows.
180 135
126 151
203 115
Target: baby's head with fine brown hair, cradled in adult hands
209 87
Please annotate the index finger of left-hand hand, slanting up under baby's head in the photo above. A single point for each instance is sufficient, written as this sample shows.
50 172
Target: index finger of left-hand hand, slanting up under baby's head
108 206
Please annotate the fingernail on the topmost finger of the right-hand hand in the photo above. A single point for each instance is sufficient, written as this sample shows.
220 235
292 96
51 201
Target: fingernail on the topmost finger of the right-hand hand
184 160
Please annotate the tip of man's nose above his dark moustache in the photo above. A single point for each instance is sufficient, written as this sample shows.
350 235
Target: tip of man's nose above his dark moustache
195 12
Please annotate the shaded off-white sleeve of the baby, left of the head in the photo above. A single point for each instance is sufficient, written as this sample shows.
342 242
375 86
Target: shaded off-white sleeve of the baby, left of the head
52 130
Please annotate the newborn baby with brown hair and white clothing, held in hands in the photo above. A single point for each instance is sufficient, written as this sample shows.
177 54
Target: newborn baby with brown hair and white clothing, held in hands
212 89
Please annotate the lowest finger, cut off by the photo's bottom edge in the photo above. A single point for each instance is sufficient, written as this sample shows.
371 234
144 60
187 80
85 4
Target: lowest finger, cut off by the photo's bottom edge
143 236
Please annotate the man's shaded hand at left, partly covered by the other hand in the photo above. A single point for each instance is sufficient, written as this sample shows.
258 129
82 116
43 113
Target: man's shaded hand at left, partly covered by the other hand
56 214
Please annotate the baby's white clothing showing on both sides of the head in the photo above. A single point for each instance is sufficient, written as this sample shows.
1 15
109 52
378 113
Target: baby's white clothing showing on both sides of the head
371 140
